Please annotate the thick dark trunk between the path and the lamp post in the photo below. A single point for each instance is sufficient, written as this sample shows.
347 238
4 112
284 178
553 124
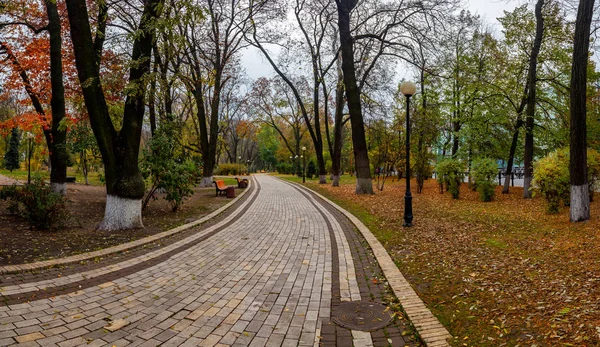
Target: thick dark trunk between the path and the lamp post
364 183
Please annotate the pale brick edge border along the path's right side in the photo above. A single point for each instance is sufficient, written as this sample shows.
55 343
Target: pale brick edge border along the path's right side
429 328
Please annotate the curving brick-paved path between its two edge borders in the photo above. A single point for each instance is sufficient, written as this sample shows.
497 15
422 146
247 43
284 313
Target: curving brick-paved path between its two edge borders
268 274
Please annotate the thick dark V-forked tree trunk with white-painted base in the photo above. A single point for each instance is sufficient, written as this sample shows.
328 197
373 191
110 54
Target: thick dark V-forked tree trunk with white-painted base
125 186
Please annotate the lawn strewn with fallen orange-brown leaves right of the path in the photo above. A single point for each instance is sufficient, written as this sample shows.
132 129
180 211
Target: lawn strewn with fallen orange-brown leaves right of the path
500 273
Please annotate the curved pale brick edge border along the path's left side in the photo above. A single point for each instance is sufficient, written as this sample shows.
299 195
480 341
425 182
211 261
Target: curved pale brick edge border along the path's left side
118 248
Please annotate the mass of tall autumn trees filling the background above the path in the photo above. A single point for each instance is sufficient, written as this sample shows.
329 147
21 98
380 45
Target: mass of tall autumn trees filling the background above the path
332 91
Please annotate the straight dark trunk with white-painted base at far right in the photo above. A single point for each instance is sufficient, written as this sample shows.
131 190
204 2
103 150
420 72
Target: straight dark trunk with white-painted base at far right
580 200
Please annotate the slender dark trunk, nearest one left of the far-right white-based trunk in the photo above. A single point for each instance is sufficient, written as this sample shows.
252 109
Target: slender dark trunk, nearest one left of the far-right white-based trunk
530 110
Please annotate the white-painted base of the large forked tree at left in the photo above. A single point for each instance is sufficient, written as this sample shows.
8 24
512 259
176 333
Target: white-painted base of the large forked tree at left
122 214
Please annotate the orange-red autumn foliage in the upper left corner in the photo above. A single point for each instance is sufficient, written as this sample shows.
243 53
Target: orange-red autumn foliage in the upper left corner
25 45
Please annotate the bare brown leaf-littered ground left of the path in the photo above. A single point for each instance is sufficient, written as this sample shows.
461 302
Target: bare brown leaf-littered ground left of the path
20 244
